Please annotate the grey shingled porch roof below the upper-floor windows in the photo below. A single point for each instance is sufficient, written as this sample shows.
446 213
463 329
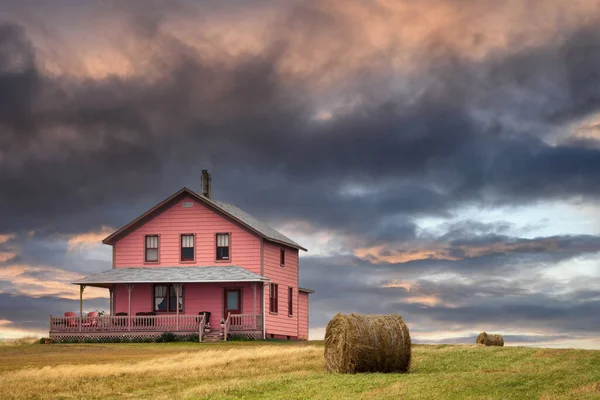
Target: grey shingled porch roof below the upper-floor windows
190 274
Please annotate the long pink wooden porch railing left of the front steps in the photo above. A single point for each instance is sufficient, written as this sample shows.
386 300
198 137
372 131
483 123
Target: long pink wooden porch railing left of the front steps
108 323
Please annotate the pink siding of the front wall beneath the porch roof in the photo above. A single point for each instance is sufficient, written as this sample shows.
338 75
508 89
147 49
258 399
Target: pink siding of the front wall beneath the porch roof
196 297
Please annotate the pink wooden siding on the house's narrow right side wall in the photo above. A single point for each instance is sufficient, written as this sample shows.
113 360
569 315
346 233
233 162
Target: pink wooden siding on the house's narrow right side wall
287 276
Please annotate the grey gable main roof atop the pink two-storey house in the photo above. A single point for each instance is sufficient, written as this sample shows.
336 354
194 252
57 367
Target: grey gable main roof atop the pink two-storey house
228 210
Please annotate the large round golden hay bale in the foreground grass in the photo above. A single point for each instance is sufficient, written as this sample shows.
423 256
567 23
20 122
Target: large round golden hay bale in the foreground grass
367 343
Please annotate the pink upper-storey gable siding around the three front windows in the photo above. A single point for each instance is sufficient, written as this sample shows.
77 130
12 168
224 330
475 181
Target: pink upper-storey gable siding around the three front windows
199 220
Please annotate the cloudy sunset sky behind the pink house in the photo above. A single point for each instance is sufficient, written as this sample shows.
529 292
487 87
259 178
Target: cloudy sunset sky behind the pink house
439 159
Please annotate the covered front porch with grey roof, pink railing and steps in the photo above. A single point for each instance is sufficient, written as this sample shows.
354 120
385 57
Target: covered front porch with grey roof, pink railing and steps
211 301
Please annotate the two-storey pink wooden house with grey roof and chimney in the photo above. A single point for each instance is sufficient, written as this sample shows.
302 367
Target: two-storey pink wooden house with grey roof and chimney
193 264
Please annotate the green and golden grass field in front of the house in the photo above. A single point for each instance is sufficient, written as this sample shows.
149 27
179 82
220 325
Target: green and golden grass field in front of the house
284 370
